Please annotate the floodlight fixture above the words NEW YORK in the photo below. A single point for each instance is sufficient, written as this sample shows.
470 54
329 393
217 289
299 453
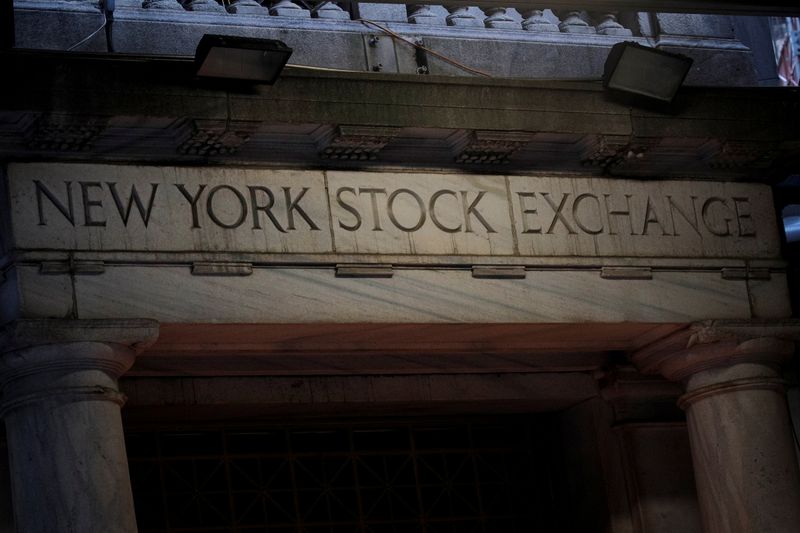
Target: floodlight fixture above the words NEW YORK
241 58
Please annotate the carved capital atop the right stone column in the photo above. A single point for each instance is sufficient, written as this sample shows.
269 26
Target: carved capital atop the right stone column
719 343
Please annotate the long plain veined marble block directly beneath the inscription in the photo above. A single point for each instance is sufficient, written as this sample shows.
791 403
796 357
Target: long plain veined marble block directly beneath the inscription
314 295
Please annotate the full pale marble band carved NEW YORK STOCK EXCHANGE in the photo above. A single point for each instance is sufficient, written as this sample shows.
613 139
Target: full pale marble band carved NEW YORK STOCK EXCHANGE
107 208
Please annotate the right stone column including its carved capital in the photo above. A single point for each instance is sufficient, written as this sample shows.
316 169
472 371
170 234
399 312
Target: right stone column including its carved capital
739 428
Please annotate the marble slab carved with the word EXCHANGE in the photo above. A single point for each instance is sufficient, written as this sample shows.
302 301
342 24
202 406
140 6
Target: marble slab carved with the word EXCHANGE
636 218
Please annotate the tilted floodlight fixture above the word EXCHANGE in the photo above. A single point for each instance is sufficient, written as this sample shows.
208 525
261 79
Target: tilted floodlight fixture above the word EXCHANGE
644 75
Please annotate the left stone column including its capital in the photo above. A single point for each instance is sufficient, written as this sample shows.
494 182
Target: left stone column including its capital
61 406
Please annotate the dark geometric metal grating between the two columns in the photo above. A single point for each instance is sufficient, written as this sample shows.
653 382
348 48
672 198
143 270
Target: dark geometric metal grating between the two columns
465 477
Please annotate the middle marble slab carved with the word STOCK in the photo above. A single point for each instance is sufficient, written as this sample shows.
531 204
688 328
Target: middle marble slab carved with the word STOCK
407 214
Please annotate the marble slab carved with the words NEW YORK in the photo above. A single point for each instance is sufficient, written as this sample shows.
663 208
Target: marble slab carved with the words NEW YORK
177 209
